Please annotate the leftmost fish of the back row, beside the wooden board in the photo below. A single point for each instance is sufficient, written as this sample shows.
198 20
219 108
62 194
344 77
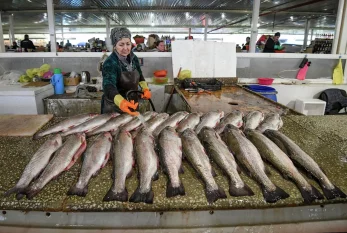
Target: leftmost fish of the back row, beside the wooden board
65 125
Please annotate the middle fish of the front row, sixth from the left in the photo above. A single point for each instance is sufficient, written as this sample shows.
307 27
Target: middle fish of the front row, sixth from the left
170 154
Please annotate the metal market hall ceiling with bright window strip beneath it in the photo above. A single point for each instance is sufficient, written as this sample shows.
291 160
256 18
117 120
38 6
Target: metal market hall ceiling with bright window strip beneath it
224 16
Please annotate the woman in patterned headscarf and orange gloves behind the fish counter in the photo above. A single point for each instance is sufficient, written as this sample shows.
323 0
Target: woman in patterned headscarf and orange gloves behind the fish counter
122 73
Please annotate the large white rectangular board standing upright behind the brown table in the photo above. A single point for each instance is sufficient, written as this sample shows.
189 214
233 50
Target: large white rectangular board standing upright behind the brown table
206 59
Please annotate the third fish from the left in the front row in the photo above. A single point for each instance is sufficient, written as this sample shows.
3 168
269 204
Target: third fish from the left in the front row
95 158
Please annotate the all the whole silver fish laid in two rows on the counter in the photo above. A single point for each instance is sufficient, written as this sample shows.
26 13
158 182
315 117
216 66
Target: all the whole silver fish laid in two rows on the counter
166 136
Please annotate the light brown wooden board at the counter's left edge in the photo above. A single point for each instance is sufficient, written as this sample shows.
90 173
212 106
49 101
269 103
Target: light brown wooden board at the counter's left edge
22 125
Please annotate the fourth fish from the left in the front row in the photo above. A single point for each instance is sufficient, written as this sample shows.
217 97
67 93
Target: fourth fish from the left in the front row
123 162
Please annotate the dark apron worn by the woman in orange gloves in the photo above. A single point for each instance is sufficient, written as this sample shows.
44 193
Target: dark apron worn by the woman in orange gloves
128 81
